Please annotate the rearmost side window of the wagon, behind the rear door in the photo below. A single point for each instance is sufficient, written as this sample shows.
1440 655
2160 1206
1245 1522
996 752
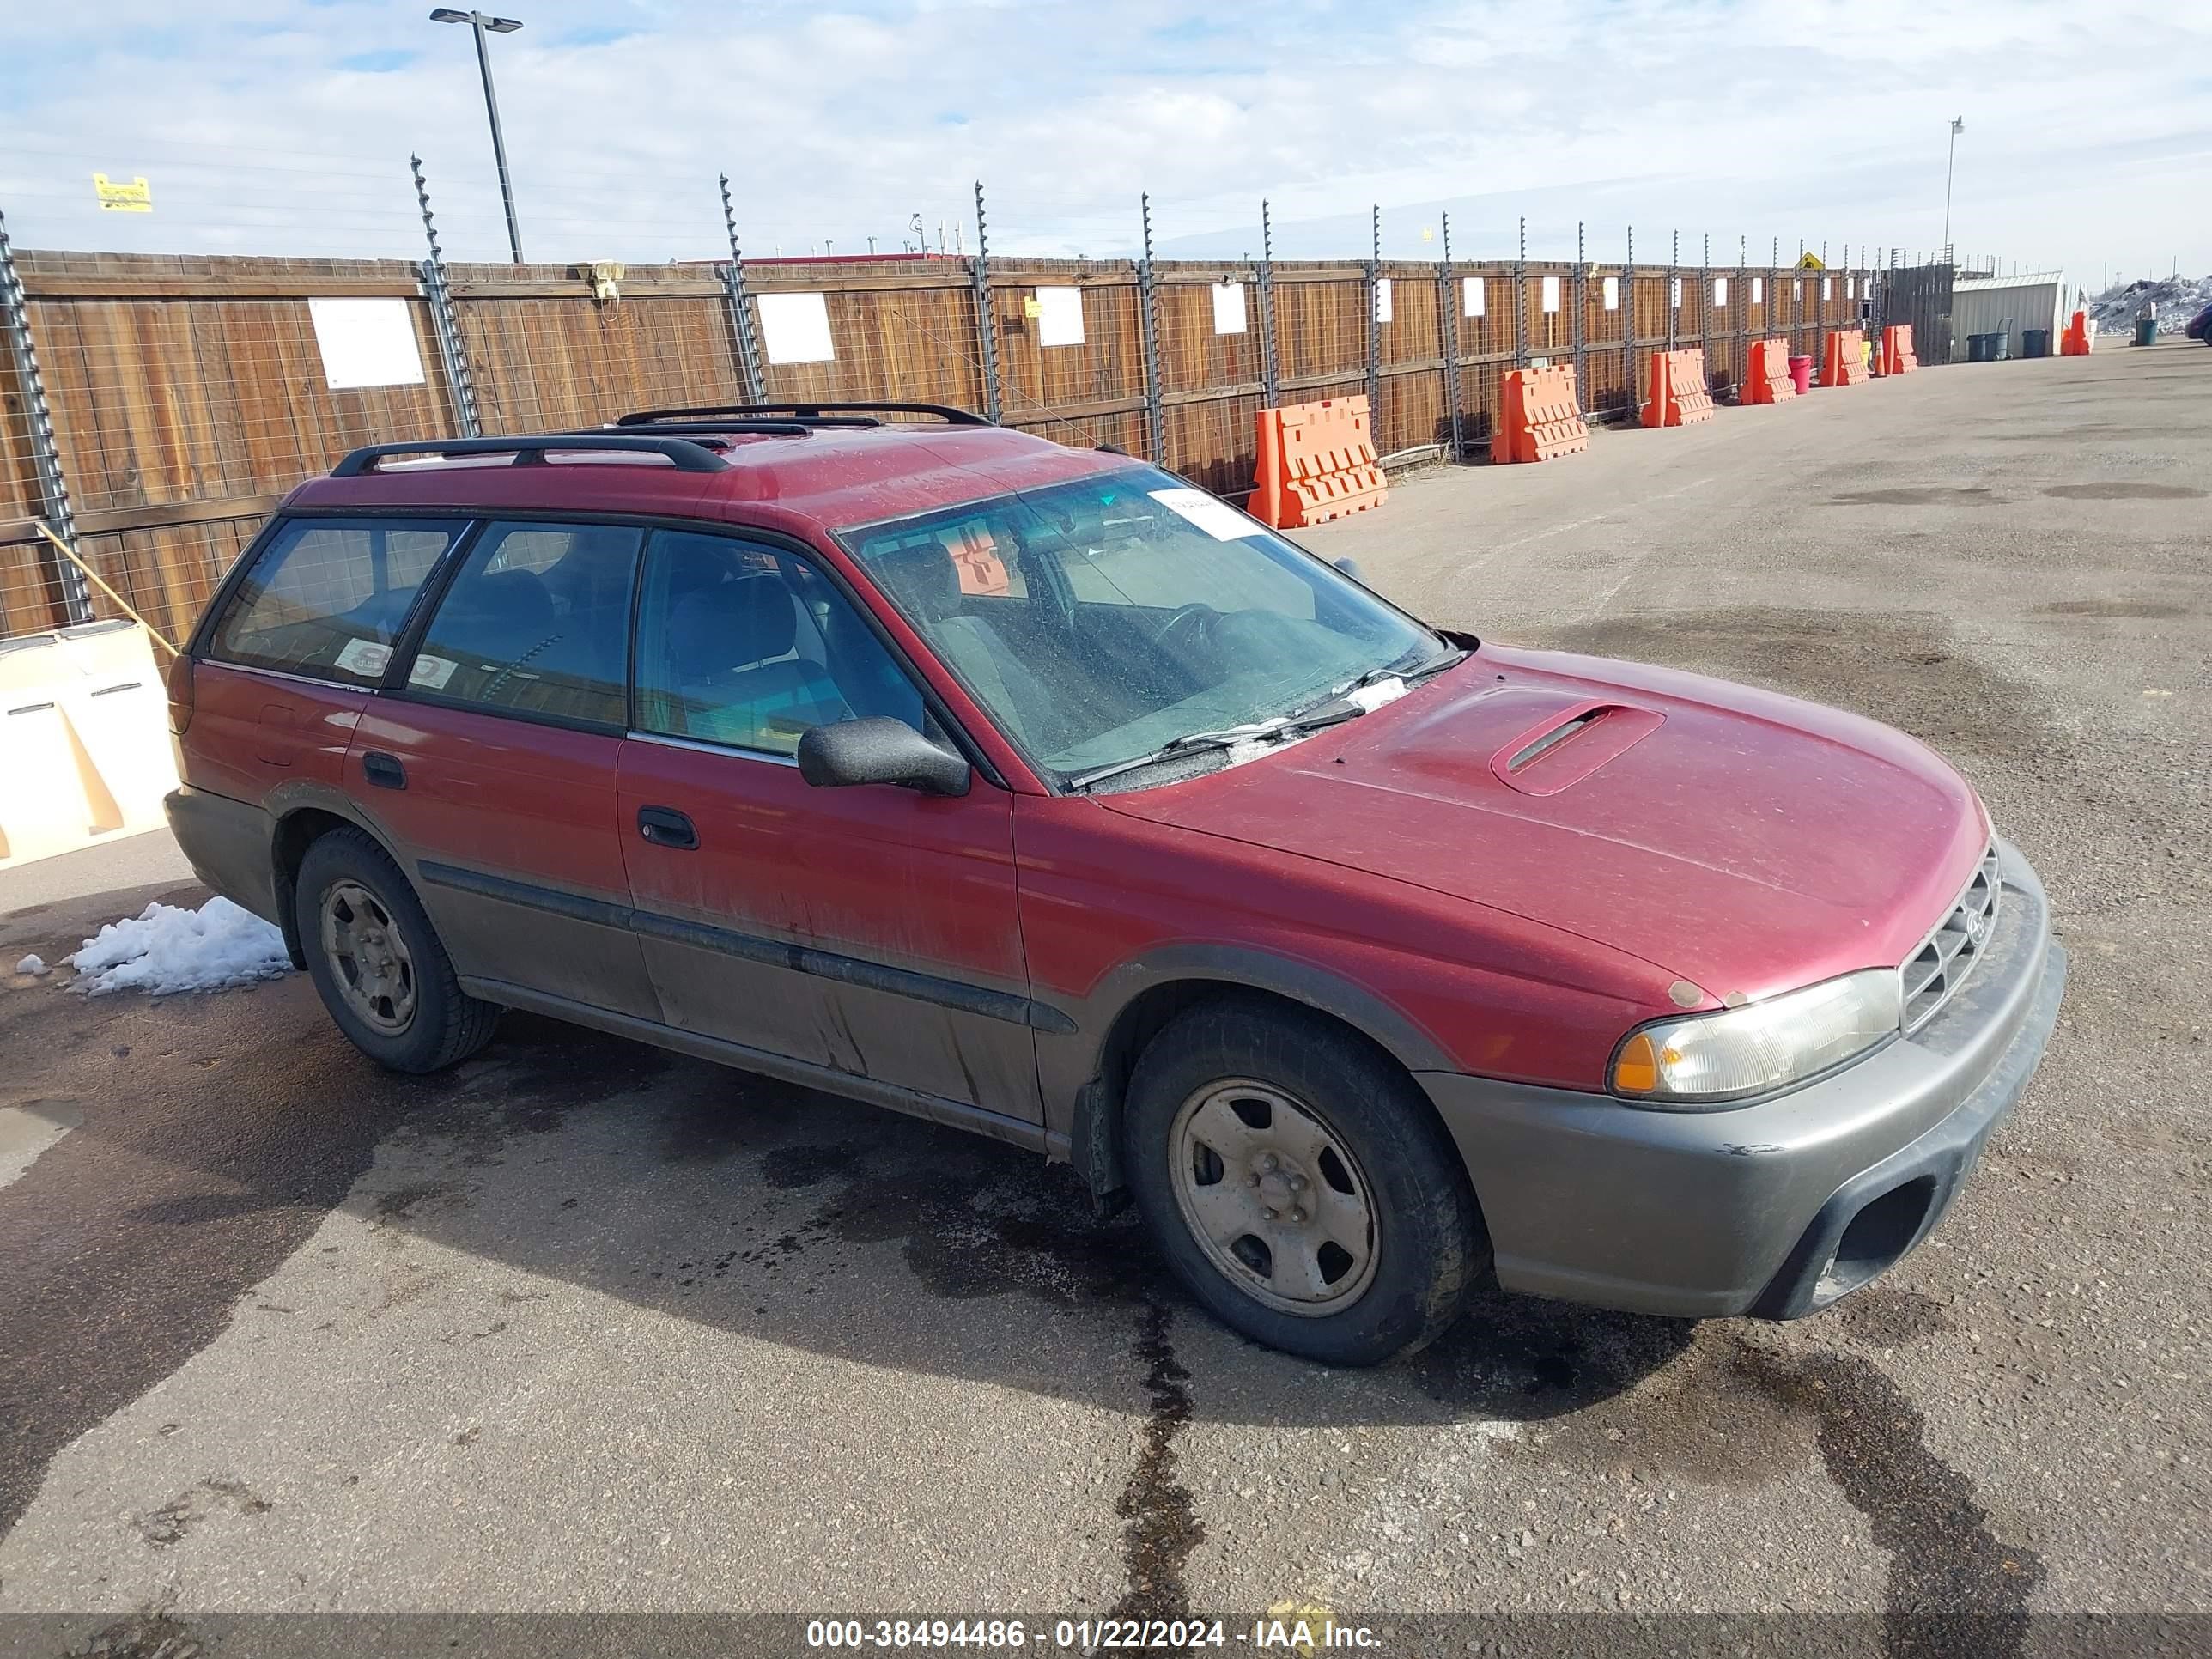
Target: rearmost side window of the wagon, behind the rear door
326 598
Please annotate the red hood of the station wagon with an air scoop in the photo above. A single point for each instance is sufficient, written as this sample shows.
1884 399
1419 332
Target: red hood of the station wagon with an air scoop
1740 839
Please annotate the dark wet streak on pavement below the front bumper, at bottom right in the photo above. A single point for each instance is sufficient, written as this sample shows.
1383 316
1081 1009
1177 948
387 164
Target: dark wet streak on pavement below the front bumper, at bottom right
1954 1587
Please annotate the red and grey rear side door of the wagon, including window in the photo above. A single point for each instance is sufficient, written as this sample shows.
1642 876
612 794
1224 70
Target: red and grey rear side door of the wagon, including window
490 762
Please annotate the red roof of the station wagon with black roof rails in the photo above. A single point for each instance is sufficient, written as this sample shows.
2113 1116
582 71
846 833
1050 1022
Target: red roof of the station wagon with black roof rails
835 477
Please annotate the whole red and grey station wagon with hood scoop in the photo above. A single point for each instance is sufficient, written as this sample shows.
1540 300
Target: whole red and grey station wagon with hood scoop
1032 791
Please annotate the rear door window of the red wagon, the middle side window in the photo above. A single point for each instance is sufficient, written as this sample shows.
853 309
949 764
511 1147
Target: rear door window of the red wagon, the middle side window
536 623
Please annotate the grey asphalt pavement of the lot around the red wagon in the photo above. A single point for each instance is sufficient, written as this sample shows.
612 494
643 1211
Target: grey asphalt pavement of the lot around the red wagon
592 1328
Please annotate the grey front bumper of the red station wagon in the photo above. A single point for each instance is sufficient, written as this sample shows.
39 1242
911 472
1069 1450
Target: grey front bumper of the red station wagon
1780 1207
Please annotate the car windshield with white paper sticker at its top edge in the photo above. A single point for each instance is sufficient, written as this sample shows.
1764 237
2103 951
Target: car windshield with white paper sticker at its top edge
1107 618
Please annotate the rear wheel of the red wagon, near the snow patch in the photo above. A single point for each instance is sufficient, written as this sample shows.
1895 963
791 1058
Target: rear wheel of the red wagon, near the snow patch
421 1021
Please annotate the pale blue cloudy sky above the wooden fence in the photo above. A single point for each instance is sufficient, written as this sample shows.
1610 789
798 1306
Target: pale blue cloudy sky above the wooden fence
282 127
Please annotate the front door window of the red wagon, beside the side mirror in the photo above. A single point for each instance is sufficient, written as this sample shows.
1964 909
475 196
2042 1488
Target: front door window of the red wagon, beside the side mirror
749 647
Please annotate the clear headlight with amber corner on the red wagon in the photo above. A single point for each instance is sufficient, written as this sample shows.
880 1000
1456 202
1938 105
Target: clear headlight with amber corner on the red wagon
1757 1047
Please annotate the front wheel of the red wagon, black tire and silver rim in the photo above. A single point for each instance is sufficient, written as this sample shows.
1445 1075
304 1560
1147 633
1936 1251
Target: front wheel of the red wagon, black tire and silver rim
1238 1083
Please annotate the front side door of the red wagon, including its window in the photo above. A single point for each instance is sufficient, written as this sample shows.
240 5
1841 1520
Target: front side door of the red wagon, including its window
866 930
